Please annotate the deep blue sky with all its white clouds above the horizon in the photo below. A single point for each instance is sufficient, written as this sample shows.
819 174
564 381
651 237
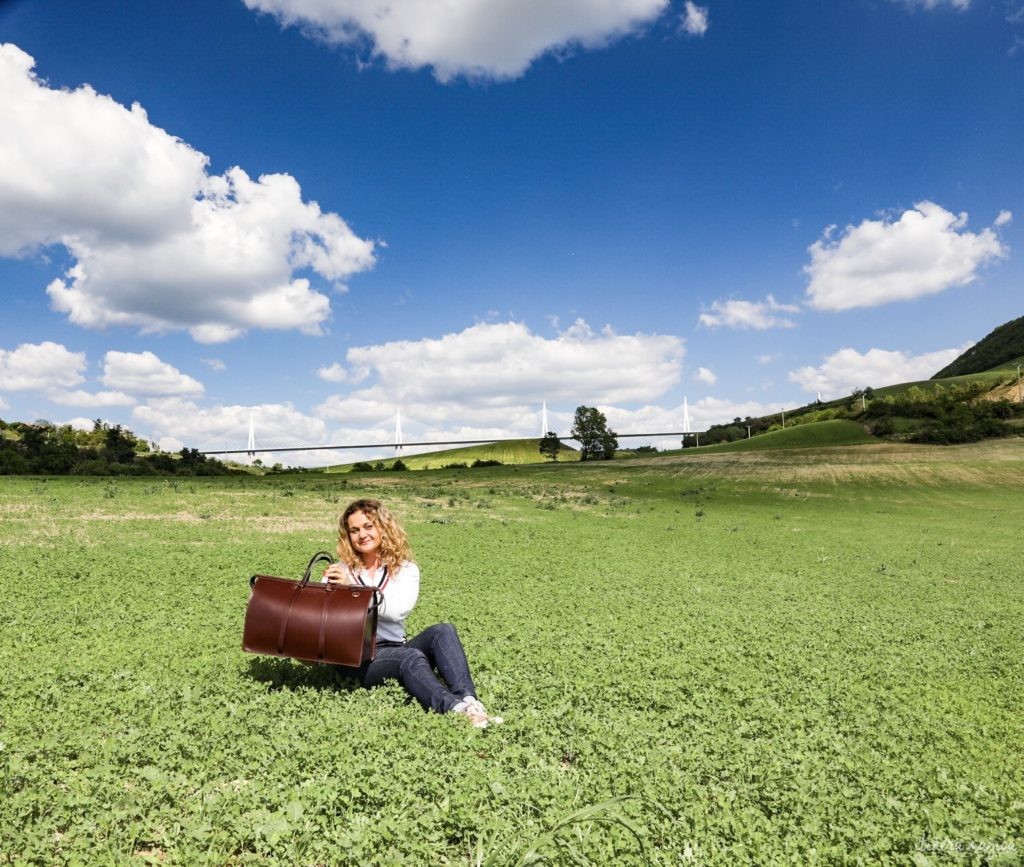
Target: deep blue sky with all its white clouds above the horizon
319 213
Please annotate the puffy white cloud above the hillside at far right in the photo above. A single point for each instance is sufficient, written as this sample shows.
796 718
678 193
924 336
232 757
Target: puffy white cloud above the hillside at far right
925 251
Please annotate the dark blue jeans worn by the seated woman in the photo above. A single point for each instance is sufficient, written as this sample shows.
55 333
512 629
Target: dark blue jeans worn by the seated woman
413 666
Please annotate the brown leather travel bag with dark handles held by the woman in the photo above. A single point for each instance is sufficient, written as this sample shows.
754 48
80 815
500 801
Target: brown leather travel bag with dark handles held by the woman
319 623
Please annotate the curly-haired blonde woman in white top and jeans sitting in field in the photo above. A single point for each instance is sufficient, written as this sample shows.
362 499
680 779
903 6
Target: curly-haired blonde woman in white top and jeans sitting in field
373 550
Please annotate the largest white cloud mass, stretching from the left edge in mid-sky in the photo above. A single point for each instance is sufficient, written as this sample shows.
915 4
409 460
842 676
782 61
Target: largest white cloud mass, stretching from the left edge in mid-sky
158 243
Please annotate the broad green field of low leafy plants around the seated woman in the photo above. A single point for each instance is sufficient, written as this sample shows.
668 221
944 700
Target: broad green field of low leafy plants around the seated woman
806 657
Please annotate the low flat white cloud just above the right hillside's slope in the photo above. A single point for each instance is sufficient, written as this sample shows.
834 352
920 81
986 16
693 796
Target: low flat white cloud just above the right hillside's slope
847 370
